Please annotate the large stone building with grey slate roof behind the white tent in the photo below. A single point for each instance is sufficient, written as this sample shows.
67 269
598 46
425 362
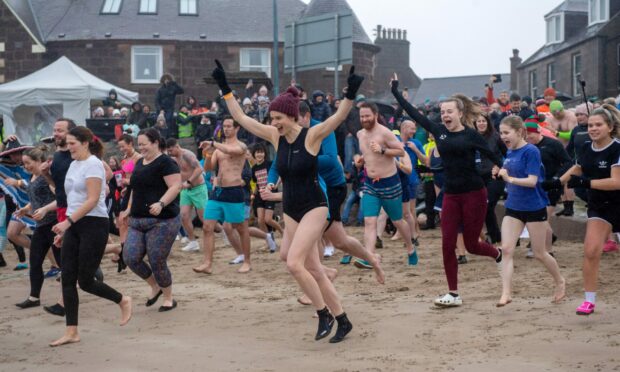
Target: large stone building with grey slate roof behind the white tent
131 43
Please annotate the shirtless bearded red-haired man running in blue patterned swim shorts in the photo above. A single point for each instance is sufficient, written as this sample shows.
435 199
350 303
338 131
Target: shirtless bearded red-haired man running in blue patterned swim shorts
382 188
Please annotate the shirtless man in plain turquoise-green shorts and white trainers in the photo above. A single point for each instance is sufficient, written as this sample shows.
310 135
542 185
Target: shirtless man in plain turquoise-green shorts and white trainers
194 189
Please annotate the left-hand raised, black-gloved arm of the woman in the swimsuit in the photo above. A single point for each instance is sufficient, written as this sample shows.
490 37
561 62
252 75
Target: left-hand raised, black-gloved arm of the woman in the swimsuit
266 132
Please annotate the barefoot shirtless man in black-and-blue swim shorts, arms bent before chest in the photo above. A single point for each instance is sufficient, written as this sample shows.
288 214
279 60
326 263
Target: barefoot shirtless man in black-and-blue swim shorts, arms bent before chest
227 201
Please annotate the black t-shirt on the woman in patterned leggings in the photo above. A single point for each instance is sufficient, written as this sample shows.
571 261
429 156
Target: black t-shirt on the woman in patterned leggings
148 186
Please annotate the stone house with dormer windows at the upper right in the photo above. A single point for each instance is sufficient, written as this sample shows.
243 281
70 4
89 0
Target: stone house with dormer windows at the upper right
582 43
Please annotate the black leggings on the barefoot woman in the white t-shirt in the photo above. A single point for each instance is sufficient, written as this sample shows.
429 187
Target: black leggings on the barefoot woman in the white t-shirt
82 250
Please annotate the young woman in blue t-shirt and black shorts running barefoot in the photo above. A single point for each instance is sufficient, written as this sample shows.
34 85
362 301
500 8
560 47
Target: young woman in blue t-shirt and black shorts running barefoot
526 204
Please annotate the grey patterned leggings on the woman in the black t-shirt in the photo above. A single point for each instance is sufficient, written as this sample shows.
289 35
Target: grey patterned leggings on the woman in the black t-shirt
153 237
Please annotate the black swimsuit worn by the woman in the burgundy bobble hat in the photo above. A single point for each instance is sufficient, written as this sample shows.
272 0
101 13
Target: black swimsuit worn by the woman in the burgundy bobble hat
299 172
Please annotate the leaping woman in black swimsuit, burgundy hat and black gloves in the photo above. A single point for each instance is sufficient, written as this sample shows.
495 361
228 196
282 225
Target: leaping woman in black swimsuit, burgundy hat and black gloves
304 204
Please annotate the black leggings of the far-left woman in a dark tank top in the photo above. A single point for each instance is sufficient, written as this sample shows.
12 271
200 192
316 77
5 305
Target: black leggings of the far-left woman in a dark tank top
42 240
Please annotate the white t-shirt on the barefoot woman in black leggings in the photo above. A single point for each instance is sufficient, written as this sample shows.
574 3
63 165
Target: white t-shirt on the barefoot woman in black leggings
75 185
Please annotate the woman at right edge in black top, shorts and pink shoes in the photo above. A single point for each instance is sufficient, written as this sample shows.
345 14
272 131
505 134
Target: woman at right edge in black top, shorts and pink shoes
598 171
